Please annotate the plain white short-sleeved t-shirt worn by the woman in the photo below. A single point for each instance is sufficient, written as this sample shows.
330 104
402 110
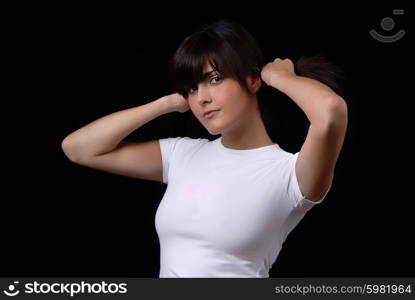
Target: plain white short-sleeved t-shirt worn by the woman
225 212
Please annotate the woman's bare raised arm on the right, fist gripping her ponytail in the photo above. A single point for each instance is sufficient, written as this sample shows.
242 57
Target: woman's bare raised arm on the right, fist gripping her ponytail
327 113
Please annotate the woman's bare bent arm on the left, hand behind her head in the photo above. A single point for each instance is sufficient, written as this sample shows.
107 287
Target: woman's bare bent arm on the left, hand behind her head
100 143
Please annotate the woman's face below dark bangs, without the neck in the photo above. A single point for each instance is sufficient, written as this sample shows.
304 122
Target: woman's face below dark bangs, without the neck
217 93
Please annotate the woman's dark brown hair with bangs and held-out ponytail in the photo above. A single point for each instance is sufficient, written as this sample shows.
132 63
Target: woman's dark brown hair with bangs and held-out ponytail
233 52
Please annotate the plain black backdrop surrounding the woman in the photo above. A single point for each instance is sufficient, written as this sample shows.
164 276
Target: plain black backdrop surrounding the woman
73 64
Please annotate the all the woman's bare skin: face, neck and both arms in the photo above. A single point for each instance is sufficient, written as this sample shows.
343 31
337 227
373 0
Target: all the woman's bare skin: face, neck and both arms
99 145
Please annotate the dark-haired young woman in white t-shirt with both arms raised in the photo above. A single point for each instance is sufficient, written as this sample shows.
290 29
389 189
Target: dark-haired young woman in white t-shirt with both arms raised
231 202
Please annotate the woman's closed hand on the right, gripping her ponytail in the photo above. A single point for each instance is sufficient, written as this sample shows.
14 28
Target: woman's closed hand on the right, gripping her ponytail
272 72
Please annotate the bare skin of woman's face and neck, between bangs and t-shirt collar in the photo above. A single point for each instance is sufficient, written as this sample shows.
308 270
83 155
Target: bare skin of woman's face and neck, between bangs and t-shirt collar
238 121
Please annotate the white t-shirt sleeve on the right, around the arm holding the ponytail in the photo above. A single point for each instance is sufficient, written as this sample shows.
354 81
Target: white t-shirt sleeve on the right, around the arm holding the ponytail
294 192
